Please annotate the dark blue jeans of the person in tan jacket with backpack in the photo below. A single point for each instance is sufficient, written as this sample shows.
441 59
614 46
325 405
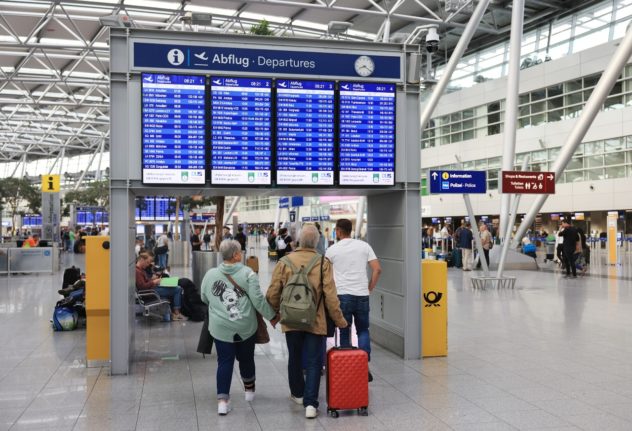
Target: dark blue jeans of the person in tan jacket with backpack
304 386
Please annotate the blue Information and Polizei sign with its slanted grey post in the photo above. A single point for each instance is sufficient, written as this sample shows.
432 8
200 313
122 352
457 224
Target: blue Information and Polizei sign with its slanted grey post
458 182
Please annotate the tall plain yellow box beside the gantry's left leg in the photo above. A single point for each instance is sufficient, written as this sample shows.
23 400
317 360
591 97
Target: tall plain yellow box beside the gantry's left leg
97 300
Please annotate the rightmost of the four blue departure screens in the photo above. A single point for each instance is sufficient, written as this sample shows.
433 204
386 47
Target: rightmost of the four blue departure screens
367 134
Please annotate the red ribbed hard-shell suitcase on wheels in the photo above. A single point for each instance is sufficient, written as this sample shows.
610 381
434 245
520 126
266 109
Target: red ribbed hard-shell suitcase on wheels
347 380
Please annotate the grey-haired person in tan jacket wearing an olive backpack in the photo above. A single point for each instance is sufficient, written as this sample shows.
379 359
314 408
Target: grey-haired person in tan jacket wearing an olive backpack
302 287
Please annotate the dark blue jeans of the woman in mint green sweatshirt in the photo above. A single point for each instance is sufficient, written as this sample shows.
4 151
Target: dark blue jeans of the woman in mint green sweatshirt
244 351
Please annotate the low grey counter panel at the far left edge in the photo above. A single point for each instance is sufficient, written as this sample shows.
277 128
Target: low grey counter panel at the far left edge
28 260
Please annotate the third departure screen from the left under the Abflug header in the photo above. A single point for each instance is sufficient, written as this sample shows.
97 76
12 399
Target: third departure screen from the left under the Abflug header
305 132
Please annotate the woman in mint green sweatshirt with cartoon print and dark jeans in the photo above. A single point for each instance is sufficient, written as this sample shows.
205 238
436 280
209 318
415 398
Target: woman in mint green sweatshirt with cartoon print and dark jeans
233 320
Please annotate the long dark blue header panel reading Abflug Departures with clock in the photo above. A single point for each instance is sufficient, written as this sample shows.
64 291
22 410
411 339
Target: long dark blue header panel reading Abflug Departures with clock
265 61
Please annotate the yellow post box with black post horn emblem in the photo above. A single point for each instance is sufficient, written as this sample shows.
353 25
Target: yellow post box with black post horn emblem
434 310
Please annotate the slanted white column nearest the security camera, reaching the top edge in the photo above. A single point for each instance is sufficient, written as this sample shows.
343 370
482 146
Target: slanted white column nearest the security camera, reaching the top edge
458 52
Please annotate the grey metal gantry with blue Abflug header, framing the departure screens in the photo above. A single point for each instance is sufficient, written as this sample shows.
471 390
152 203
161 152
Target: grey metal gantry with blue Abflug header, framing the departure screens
393 210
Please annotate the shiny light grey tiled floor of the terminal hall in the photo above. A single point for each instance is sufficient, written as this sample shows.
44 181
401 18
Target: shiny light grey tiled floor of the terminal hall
552 354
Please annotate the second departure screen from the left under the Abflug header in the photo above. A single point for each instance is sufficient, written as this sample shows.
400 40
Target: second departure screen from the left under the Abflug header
241 131
